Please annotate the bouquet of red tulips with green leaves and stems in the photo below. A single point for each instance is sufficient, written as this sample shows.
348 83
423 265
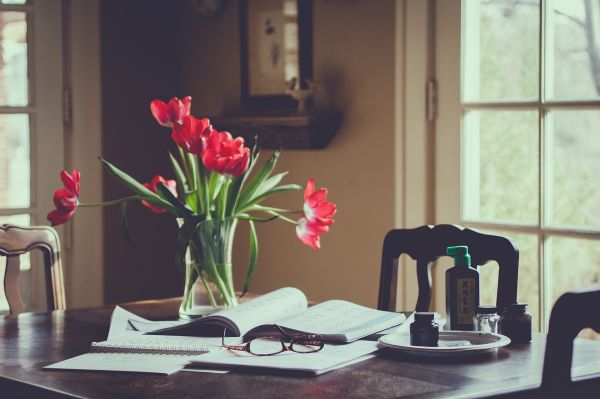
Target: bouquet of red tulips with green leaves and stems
217 182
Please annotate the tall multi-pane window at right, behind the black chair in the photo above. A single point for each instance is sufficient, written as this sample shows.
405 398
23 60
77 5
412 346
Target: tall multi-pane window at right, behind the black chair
530 139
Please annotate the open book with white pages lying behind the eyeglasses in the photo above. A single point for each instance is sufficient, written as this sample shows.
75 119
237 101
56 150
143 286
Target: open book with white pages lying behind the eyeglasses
335 320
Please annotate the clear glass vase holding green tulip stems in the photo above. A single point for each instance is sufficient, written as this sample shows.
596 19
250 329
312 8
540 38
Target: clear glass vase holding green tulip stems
208 269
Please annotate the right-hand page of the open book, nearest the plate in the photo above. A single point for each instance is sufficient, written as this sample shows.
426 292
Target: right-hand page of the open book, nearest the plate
341 317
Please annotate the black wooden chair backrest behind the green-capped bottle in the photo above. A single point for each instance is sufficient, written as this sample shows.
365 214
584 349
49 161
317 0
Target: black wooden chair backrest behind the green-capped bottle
425 244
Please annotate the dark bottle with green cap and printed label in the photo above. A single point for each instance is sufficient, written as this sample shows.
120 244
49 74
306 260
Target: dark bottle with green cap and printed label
462 290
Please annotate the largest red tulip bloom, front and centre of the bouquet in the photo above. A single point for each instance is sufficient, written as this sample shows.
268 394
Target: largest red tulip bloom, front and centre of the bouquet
226 155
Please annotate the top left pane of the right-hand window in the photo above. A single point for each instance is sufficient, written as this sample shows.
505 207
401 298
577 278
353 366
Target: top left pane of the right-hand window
501 50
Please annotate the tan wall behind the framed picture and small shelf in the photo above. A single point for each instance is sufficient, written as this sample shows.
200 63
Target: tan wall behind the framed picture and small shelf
354 57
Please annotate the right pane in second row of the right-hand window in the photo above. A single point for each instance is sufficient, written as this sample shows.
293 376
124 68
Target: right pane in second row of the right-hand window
574 167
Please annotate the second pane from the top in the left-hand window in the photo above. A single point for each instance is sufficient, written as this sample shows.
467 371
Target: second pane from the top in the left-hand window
14 161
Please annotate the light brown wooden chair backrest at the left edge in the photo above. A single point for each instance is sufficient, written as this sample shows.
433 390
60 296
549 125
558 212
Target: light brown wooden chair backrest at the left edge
16 241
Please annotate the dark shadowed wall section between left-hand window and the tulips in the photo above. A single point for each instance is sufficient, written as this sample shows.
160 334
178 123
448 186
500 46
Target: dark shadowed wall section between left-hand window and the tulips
140 54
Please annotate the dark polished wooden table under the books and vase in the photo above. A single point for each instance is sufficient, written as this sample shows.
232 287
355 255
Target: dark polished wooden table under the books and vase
31 341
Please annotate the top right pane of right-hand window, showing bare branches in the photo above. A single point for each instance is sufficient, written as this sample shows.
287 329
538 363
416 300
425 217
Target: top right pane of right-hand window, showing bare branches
573 47
